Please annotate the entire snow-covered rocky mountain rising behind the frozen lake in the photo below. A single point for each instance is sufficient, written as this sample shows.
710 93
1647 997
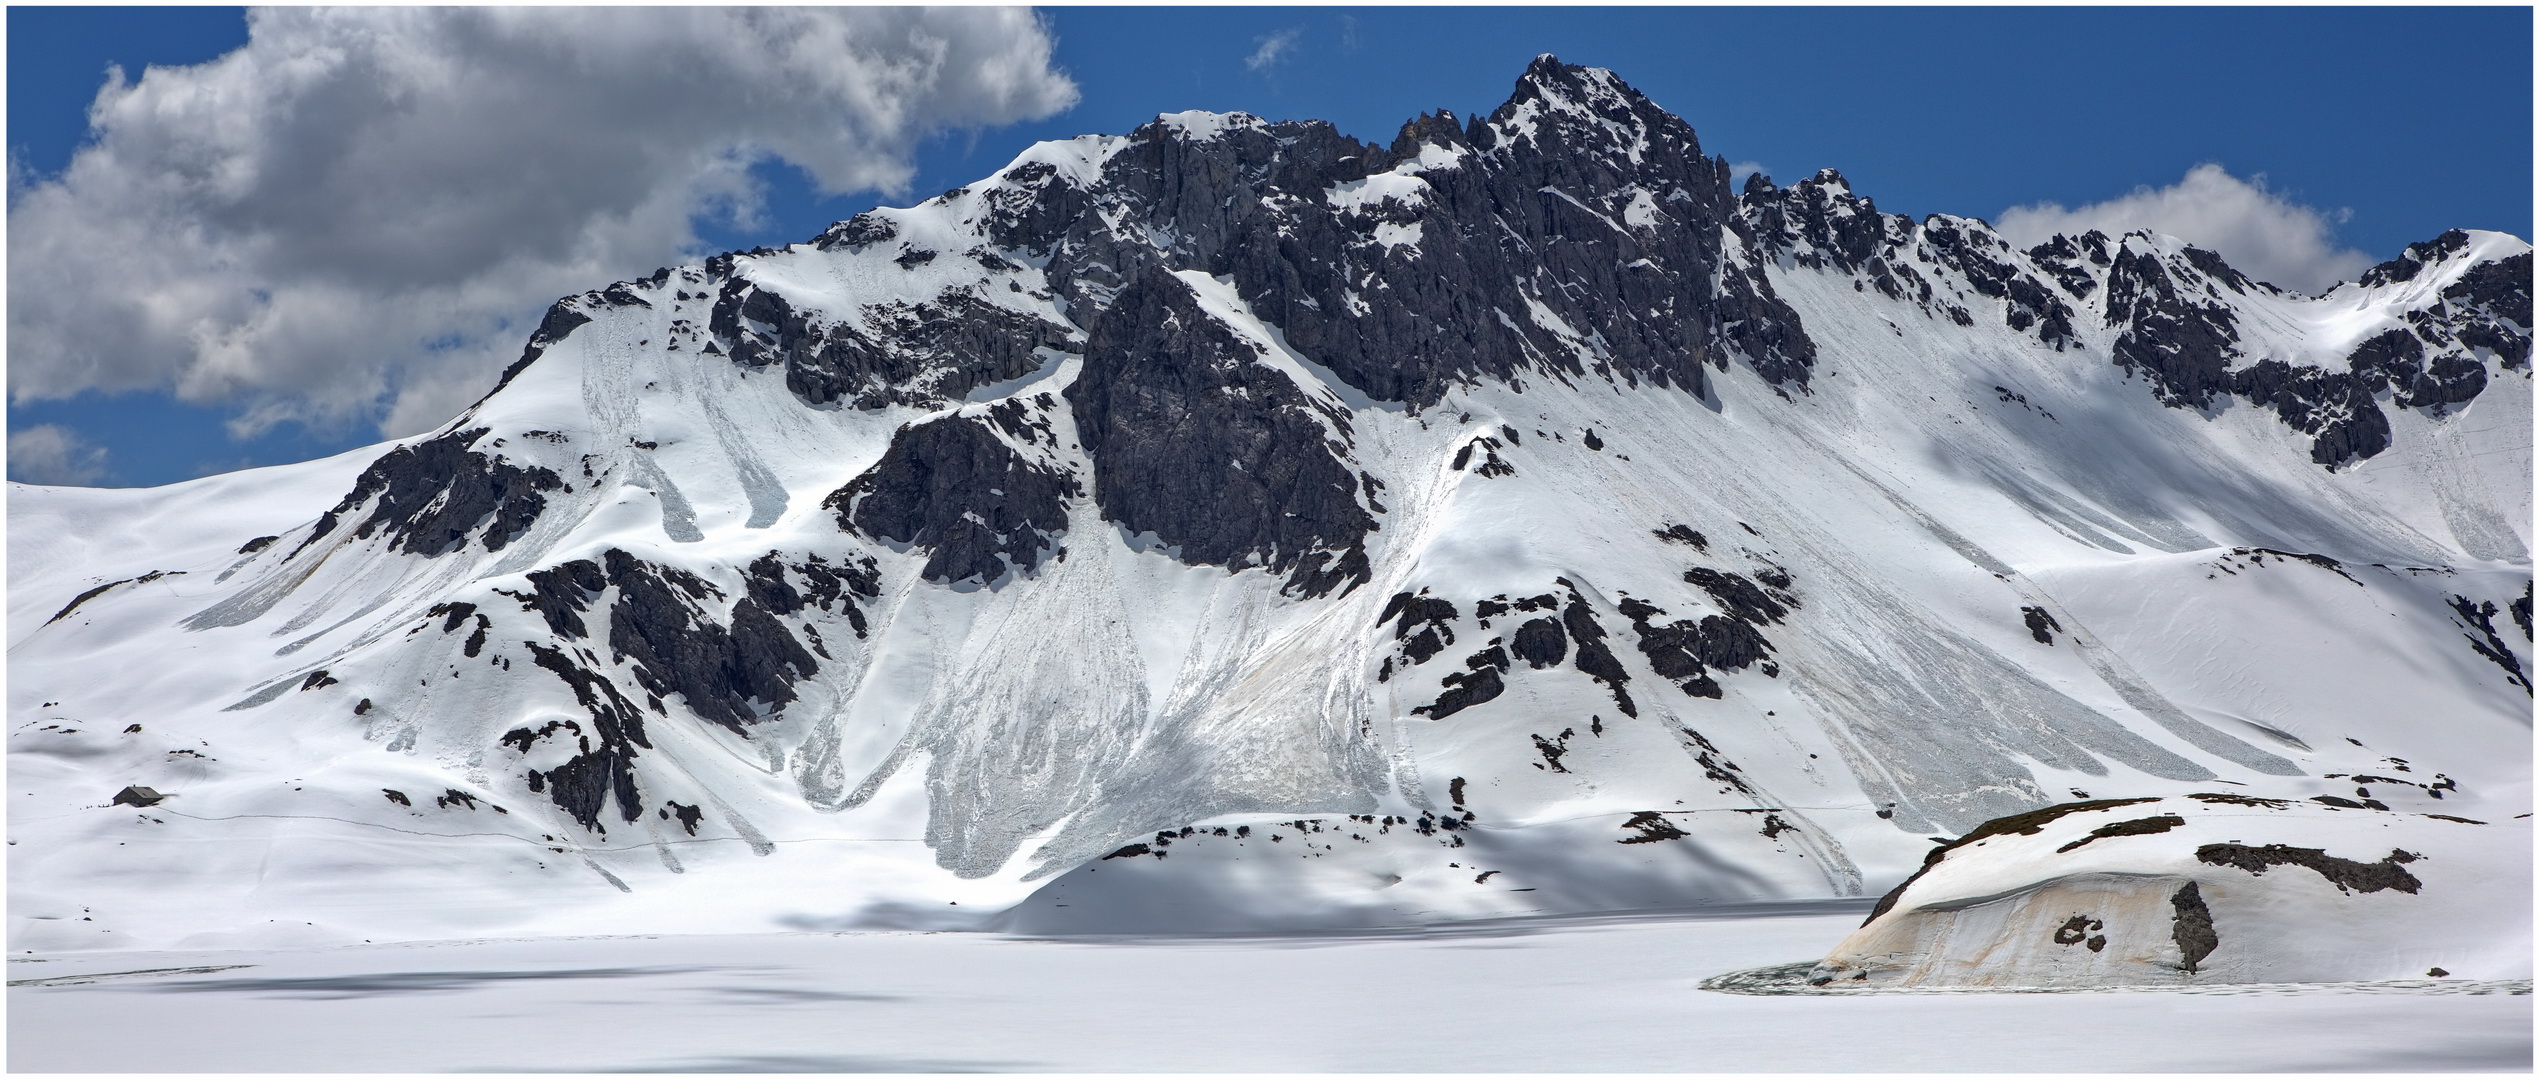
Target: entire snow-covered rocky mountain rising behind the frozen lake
1238 525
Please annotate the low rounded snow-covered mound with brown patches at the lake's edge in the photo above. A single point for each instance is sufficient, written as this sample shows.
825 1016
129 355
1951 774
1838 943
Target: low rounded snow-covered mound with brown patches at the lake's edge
2203 891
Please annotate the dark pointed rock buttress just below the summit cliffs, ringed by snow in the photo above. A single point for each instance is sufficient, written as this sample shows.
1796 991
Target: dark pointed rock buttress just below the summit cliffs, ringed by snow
1215 454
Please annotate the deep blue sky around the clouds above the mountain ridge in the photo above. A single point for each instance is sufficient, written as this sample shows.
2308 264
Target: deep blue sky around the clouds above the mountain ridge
2396 123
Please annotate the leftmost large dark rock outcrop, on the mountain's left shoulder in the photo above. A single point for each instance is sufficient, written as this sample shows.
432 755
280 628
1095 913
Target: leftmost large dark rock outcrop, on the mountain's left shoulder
433 494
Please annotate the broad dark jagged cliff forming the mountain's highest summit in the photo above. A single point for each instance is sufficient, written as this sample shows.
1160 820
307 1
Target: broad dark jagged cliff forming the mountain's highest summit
1578 199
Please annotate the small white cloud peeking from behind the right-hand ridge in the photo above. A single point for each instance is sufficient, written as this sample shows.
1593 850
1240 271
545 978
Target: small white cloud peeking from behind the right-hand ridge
2258 233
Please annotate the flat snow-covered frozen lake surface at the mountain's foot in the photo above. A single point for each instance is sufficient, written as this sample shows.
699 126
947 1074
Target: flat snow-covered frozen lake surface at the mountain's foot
1515 995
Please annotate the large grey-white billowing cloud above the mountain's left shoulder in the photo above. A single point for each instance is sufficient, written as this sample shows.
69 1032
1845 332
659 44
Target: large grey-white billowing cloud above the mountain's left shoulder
362 212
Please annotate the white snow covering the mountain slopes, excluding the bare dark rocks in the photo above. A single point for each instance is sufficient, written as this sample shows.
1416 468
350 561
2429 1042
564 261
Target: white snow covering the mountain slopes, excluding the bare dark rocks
1913 507
